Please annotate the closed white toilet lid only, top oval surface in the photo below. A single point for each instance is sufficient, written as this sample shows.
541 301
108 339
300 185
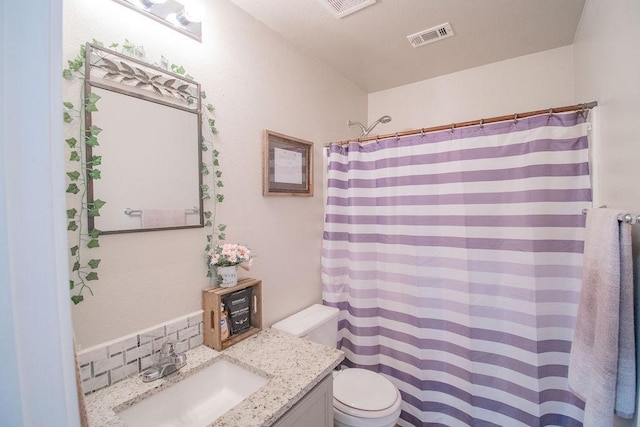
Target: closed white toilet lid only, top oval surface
364 390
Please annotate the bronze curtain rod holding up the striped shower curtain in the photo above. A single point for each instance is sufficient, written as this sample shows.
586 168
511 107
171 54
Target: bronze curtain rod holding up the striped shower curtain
577 107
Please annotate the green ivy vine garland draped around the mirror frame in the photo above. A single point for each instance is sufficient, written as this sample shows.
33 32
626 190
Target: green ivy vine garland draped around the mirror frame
82 168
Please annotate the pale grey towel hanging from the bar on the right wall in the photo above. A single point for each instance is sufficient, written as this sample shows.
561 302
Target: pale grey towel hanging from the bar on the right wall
603 322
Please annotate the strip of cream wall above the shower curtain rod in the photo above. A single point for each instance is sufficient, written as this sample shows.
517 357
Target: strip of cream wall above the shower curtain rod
532 82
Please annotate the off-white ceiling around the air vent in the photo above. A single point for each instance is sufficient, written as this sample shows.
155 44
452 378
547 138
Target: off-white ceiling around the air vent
370 48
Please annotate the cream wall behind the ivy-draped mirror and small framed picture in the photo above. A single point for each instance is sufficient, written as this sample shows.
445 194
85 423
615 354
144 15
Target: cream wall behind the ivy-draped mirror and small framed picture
256 82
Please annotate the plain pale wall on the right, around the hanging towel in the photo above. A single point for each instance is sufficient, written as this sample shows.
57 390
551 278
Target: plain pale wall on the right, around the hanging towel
607 68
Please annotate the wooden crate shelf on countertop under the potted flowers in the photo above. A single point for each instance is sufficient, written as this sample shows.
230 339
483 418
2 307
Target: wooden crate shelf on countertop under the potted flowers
211 302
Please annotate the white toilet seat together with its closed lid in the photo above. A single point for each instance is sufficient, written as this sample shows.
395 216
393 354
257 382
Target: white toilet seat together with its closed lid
365 394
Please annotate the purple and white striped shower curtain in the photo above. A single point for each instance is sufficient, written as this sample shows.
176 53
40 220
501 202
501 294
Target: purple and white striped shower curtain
456 261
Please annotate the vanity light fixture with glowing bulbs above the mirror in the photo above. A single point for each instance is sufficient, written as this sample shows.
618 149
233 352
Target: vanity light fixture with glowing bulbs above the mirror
184 16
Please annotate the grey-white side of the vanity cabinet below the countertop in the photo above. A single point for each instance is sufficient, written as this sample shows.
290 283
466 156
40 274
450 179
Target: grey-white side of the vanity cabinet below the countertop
315 409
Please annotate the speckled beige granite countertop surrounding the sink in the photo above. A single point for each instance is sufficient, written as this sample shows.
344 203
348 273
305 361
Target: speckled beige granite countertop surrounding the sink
293 365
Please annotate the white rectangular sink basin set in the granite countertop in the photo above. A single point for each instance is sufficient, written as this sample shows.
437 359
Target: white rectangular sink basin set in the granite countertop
197 400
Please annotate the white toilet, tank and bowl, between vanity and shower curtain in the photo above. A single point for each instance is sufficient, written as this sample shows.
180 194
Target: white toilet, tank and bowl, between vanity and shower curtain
361 398
